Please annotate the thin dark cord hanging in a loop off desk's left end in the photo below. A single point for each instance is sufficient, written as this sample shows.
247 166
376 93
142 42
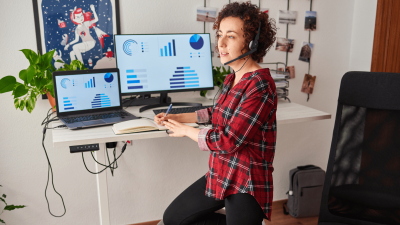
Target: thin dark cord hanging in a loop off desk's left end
46 122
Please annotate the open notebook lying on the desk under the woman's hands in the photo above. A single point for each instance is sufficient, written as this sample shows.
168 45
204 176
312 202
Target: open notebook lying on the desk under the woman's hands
140 125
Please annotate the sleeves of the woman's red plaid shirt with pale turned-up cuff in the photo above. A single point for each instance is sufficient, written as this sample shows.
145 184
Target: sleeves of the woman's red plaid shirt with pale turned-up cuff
254 108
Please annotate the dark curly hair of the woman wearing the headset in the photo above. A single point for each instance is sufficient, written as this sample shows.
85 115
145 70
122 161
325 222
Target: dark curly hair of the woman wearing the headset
251 16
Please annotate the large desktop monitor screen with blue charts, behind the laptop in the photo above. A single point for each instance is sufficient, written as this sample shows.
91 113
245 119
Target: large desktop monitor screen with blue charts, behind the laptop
151 63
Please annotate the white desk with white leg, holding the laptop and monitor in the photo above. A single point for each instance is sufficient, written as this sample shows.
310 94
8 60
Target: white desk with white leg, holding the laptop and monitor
286 113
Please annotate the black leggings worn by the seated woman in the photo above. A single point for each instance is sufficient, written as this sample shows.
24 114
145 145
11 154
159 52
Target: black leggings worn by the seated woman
192 207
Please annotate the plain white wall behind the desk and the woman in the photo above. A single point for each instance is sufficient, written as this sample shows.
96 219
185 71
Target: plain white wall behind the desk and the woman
153 172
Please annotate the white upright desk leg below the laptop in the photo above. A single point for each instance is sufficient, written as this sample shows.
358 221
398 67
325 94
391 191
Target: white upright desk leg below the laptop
102 189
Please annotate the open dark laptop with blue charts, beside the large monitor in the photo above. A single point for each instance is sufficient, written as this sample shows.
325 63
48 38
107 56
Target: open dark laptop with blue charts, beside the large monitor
89 98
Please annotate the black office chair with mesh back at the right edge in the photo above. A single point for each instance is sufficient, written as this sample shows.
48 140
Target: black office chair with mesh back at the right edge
362 183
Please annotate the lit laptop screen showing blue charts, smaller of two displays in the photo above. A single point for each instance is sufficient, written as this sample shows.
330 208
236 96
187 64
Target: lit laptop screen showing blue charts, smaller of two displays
87 91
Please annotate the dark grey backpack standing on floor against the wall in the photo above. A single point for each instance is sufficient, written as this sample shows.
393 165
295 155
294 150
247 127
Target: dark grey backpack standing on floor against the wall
305 191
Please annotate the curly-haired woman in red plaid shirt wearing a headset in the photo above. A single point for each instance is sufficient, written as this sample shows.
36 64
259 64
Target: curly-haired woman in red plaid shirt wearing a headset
242 139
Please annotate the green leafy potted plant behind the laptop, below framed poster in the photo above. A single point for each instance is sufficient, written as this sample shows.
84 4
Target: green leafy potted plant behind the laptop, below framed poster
37 78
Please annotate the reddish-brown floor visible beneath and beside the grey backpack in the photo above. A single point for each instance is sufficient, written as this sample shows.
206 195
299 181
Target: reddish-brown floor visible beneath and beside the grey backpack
278 218
